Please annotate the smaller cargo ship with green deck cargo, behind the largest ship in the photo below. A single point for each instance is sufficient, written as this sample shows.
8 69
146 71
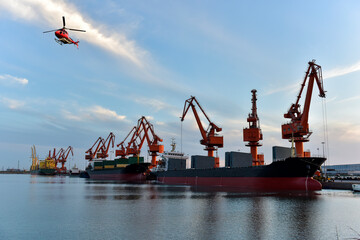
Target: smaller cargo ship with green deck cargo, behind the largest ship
131 170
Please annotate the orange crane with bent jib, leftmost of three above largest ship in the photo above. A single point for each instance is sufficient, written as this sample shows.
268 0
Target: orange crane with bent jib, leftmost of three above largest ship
210 139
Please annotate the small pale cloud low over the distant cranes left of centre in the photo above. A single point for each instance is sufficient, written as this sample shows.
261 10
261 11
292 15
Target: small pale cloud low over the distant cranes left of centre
94 113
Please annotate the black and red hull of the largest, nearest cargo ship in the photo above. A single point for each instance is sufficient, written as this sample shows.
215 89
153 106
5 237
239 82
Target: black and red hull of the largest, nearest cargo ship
289 174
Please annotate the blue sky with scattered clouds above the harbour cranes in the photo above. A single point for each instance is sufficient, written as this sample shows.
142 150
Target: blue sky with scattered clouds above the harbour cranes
145 58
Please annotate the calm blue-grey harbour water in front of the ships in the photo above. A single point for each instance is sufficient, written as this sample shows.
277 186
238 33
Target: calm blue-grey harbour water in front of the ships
62 207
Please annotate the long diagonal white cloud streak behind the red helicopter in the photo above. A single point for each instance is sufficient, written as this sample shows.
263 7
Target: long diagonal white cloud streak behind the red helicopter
50 13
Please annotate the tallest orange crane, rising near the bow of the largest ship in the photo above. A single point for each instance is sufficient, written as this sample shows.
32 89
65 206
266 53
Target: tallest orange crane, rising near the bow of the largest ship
297 130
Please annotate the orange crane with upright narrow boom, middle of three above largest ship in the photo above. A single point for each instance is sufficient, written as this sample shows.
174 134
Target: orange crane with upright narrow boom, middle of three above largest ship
253 133
